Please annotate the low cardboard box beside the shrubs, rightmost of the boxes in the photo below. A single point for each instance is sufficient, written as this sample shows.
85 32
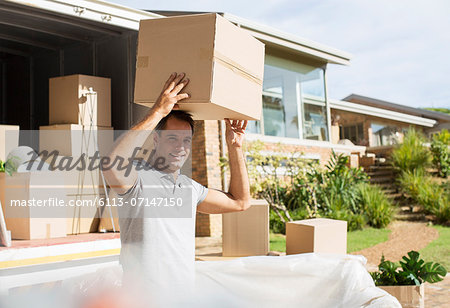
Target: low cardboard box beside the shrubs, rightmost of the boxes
316 235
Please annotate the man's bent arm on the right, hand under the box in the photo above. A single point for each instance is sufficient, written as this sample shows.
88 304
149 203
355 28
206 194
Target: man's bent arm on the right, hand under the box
238 196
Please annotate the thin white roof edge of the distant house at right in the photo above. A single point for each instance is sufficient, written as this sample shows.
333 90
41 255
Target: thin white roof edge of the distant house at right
381 113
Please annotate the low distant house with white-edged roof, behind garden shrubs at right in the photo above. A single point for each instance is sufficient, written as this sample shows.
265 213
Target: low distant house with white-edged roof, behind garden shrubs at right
378 124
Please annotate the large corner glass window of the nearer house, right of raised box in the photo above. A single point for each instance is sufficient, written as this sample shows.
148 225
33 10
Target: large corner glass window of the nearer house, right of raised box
290 89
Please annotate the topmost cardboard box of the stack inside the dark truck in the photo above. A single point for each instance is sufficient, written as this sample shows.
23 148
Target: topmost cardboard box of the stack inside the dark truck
71 102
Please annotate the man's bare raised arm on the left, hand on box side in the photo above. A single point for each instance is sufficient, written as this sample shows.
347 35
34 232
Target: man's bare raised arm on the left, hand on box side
126 146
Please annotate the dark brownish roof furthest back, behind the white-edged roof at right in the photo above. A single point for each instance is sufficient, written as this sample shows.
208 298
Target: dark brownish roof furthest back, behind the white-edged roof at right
419 112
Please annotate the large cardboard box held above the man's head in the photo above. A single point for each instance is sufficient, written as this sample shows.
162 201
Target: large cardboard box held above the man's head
224 63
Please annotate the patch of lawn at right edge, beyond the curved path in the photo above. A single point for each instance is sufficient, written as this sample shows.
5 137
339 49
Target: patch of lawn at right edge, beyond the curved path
439 249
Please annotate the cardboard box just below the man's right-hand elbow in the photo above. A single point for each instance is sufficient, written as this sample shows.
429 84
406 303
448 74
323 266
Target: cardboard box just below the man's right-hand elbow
246 233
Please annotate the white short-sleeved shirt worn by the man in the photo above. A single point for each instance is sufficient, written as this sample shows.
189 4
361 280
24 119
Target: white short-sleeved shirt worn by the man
157 229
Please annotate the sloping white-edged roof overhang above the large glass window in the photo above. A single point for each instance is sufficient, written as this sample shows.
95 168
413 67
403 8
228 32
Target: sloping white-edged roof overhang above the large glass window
281 41
